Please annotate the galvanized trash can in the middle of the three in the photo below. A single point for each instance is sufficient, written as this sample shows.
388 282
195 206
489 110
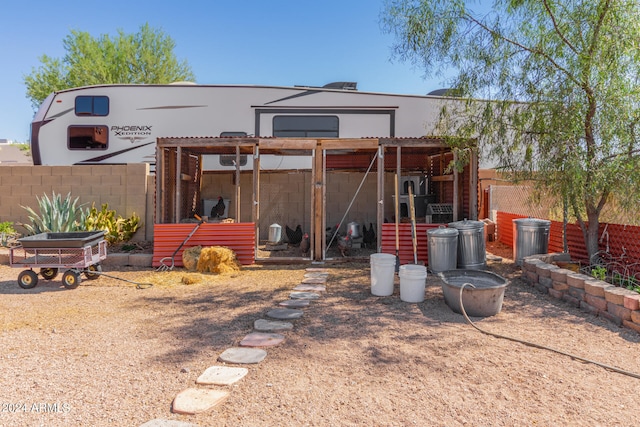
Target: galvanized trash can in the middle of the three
472 253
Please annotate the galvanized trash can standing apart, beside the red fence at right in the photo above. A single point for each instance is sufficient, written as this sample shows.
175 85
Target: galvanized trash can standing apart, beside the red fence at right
530 237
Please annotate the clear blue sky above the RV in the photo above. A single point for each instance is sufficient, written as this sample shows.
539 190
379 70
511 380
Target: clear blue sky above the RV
274 42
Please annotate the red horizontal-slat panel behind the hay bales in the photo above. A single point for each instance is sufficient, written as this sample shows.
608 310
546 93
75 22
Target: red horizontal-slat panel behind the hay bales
239 237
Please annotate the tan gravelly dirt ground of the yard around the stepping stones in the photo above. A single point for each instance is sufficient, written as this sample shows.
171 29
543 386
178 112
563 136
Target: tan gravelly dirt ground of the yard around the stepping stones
108 353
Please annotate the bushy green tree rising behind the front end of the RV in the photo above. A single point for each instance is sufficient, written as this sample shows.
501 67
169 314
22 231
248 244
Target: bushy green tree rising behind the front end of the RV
144 57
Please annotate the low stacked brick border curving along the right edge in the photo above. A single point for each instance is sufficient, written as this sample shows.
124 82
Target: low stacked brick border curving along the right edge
618 305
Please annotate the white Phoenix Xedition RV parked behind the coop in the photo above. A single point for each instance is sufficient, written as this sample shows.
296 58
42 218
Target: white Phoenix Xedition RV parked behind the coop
116 124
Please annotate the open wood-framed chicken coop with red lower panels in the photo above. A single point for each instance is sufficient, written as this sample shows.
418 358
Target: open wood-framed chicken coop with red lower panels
338 179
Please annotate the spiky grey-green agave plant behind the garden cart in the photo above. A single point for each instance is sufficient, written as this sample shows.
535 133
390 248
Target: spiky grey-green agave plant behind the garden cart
57 215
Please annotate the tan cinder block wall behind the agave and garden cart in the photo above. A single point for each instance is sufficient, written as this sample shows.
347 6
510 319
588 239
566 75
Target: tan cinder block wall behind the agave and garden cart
127 189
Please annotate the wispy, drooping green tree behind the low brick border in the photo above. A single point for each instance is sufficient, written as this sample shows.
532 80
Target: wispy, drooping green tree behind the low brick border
560 80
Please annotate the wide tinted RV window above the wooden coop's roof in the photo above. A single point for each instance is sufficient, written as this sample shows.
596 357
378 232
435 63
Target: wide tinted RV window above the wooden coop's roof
305 126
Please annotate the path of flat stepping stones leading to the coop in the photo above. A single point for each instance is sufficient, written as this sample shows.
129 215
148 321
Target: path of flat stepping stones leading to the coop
197 400
